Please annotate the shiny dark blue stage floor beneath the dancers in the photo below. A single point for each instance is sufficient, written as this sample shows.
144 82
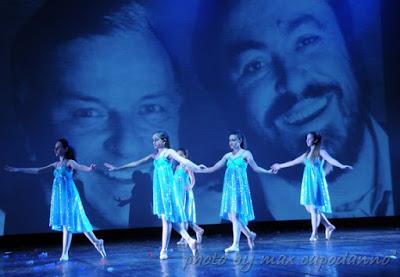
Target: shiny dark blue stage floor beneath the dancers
350 252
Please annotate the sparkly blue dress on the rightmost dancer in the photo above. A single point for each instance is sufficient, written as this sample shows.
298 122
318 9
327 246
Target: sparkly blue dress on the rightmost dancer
314 189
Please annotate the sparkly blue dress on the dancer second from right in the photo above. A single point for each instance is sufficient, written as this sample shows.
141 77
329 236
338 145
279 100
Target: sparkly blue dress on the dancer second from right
236 197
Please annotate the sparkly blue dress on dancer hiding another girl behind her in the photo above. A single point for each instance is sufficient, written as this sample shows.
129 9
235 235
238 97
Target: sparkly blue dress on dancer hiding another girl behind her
167 200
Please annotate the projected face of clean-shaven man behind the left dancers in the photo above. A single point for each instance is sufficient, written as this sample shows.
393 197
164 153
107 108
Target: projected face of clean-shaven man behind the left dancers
114 92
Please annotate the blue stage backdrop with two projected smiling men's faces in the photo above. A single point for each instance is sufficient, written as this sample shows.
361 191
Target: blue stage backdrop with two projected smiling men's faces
107 74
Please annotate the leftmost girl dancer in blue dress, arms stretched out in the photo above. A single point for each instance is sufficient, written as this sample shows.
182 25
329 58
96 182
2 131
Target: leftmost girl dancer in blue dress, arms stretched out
66 210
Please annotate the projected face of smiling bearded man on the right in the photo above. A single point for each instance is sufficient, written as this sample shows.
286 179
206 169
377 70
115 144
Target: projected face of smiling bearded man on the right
289 63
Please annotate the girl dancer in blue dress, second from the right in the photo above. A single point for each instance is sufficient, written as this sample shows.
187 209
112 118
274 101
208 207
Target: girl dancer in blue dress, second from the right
236 203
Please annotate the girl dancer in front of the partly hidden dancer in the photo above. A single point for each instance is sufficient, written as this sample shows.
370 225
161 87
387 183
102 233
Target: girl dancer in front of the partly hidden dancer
167 203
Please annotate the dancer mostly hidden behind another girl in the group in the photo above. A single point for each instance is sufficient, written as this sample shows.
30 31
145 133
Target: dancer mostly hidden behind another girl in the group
184 179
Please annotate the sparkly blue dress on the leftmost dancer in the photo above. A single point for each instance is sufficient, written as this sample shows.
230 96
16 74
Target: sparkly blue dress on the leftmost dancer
66 206
